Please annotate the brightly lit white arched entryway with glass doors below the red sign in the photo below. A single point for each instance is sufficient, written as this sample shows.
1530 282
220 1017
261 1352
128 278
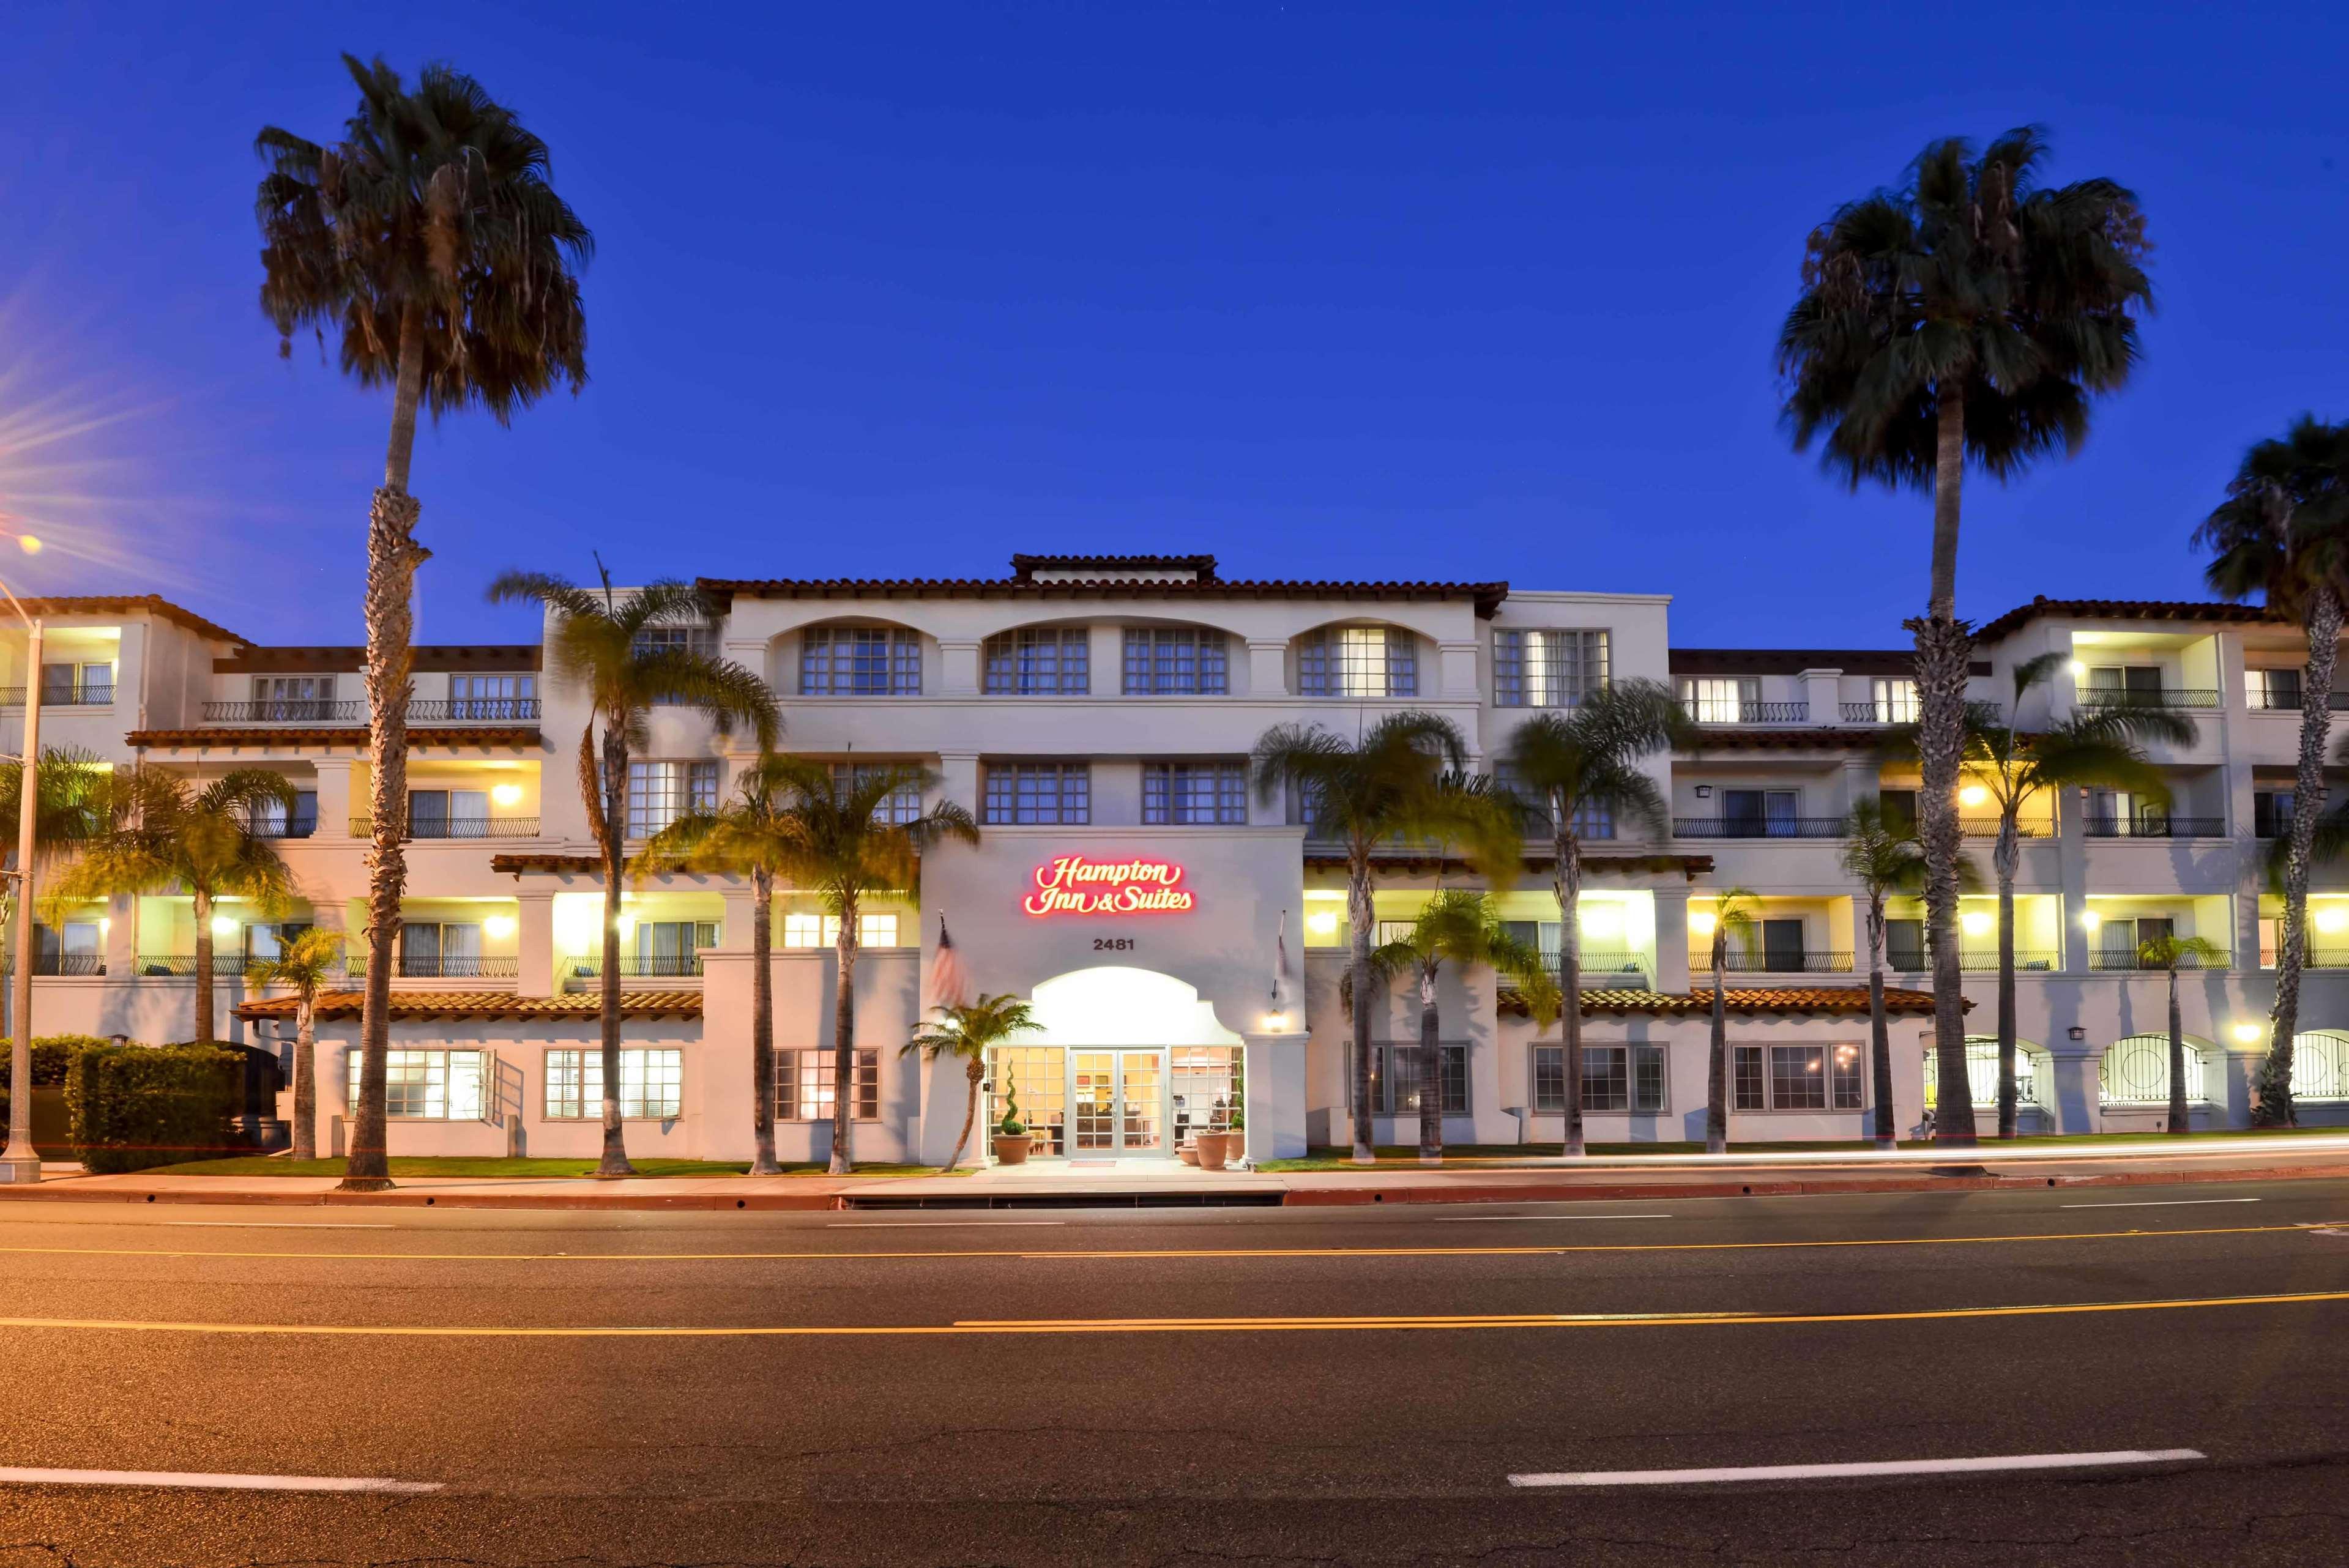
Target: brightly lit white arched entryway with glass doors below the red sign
1122 1065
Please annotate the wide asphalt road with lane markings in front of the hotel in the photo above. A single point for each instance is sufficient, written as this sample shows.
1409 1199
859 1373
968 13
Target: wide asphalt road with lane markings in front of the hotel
1185 1386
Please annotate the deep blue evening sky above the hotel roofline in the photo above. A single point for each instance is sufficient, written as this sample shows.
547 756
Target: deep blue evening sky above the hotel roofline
1357 292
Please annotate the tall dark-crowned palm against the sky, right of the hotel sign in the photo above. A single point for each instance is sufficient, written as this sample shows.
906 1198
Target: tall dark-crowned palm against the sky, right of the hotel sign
1967 316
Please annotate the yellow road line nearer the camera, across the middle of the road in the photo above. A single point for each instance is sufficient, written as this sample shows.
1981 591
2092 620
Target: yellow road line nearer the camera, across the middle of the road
1164 1325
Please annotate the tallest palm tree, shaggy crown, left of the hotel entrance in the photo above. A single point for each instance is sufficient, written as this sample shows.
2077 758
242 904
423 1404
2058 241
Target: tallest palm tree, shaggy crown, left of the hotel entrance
436 250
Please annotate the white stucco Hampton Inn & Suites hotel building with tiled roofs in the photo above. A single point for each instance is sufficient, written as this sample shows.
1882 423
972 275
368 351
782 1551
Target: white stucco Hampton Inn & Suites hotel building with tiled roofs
1098 712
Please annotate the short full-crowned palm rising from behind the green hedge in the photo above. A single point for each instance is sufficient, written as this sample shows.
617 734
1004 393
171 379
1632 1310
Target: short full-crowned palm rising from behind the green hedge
163 832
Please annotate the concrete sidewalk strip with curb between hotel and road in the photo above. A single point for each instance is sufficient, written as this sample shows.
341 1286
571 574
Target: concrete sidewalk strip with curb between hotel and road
1166 1184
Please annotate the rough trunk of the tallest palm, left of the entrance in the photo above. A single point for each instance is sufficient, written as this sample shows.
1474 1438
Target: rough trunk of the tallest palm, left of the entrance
393 557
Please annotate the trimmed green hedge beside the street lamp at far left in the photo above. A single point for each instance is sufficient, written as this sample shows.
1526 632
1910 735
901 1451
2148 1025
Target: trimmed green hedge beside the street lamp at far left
135 1107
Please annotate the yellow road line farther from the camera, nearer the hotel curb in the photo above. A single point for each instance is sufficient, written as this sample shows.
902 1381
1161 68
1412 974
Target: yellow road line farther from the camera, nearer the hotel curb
1169 1252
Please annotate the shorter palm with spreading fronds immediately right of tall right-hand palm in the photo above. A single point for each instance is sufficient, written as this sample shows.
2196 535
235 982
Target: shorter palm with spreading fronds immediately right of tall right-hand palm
2089 750
